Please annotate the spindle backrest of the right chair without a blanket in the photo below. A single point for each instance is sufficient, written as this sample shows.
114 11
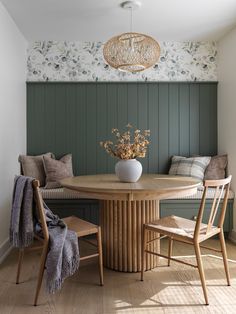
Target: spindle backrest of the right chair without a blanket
221 192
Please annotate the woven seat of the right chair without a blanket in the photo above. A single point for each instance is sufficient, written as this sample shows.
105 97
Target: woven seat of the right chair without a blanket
174 225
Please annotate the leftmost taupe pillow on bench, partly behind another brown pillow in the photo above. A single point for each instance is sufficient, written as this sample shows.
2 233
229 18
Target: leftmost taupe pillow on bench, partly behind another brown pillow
32 166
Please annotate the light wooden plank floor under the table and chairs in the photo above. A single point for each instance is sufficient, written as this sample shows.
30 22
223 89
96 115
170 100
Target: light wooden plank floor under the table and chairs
174 289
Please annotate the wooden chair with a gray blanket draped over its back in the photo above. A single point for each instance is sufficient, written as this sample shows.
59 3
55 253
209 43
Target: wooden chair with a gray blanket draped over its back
81 227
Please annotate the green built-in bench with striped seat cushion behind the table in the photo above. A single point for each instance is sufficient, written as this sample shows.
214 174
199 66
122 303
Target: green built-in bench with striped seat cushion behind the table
65 202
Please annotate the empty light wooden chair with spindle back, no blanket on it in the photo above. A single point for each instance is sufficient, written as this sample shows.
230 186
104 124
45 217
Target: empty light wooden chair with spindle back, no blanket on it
193 232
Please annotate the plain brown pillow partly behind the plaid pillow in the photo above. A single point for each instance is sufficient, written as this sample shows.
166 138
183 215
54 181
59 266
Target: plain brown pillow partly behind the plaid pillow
216 169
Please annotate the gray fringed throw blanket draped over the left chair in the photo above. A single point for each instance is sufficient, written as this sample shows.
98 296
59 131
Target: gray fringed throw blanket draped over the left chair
63 253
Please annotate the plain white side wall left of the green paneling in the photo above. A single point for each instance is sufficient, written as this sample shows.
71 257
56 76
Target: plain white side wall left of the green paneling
12 114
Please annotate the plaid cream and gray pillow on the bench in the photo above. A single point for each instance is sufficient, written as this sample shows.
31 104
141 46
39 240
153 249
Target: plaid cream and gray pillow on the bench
189 167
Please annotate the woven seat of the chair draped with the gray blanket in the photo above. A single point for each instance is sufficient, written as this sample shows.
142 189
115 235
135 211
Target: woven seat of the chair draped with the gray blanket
81 227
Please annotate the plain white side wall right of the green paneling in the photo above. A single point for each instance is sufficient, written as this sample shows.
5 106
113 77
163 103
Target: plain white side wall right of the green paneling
227 105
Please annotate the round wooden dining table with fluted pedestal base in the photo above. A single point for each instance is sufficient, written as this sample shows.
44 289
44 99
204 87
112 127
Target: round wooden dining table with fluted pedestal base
125 207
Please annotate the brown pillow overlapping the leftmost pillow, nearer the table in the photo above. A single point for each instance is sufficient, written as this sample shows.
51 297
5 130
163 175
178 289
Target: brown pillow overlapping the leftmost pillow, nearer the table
57 170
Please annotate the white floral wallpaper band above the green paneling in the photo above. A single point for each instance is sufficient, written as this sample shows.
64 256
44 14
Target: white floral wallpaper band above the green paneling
83 61
